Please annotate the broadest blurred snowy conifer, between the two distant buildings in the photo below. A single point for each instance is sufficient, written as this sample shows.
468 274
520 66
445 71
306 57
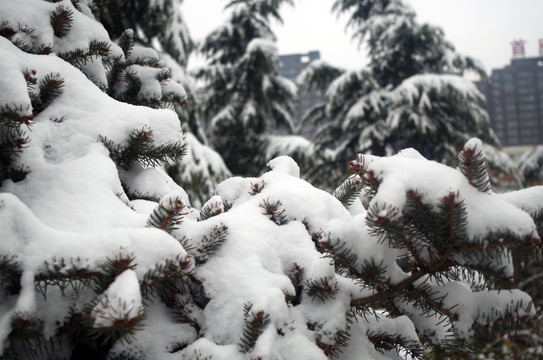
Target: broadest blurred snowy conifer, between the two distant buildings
412 95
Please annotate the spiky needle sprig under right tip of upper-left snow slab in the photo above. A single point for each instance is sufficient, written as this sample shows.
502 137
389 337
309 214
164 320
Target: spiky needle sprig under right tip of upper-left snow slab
140 147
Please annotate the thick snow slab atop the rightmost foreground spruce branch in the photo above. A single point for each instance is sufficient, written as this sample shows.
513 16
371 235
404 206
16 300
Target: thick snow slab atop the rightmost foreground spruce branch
486 211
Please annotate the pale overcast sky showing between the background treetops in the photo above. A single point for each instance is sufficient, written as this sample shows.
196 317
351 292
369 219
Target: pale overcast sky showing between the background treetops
482 29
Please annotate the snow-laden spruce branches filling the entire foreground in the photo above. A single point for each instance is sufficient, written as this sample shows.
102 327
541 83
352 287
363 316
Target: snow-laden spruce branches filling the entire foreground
103 256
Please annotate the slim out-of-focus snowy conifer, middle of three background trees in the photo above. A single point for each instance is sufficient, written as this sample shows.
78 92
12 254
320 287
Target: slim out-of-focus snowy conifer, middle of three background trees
246 98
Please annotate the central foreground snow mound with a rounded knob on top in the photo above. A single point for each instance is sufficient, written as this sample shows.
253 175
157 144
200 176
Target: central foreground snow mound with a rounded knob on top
253 266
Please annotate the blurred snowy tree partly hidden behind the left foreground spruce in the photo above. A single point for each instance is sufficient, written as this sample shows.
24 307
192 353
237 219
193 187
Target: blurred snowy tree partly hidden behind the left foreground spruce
160 25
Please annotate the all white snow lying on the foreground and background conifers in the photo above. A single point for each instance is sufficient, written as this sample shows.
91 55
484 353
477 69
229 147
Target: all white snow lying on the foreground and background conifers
76 209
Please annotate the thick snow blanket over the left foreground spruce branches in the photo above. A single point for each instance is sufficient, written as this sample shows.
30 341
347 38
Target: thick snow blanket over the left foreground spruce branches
71 211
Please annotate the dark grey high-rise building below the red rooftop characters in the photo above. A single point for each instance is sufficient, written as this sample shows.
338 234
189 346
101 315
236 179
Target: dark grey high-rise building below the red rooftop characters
515 101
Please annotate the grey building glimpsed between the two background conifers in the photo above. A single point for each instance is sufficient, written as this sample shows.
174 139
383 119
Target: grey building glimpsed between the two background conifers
290 66
